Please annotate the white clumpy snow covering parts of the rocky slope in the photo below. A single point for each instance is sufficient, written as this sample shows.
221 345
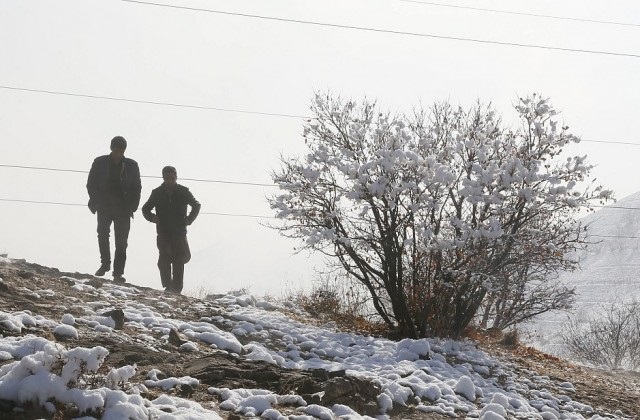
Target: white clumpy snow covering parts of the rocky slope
441 376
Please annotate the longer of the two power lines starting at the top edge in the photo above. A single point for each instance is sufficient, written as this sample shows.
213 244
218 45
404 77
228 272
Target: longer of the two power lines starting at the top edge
387 31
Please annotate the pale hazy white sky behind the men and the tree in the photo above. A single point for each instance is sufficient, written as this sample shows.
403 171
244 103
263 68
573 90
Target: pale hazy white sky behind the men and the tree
142 52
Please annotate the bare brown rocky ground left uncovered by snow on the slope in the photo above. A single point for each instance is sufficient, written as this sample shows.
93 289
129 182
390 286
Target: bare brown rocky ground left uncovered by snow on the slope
608 393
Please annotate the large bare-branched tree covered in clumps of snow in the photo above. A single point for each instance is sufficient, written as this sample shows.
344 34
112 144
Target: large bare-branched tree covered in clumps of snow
440 212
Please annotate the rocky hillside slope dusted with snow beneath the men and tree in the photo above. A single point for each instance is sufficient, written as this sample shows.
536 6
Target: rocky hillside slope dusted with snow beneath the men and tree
75 345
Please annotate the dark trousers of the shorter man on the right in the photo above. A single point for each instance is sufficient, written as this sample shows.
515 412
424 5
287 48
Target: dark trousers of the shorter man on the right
174 253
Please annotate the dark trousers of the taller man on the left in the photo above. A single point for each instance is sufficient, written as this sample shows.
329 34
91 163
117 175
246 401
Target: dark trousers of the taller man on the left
121 226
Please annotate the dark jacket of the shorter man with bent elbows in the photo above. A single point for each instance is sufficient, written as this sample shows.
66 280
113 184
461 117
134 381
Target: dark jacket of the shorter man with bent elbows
171 209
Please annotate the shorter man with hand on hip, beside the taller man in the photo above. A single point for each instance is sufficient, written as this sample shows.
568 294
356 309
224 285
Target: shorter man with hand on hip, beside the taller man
170 201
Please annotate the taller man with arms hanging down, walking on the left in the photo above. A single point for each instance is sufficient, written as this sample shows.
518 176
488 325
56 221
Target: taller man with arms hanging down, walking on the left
114 193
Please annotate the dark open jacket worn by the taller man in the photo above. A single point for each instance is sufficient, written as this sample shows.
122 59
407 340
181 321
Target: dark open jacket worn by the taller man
129 182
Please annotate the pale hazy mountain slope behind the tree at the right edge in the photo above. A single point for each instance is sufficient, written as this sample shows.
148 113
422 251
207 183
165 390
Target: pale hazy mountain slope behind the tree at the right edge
609 268
